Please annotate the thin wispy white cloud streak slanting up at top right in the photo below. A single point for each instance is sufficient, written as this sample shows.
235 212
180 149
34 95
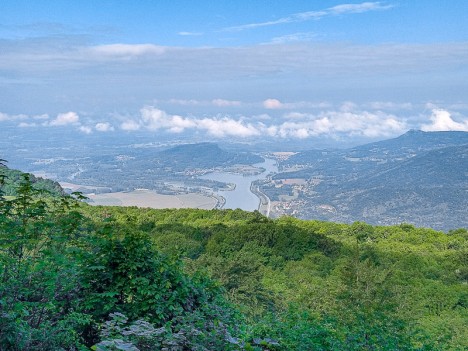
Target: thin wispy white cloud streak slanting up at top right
315 15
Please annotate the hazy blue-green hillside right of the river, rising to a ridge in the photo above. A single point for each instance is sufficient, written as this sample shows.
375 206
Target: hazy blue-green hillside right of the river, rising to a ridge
419 178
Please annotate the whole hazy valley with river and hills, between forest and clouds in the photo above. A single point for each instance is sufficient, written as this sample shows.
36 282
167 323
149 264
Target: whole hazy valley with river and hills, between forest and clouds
418 178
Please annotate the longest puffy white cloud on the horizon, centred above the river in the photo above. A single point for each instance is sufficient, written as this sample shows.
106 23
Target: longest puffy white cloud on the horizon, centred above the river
300 125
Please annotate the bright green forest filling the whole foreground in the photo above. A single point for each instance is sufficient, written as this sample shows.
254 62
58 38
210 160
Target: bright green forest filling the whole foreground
77 277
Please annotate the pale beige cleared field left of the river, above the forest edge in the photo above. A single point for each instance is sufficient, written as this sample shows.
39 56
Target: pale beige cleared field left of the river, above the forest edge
149 198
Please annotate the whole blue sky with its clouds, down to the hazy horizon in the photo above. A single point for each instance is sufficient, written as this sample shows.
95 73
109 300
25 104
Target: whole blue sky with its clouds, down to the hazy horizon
302 70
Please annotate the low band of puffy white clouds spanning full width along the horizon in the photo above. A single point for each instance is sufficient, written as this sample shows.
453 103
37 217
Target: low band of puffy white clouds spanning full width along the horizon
349 120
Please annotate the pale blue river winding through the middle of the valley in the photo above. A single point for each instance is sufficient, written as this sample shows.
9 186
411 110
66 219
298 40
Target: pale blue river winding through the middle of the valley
241 197
